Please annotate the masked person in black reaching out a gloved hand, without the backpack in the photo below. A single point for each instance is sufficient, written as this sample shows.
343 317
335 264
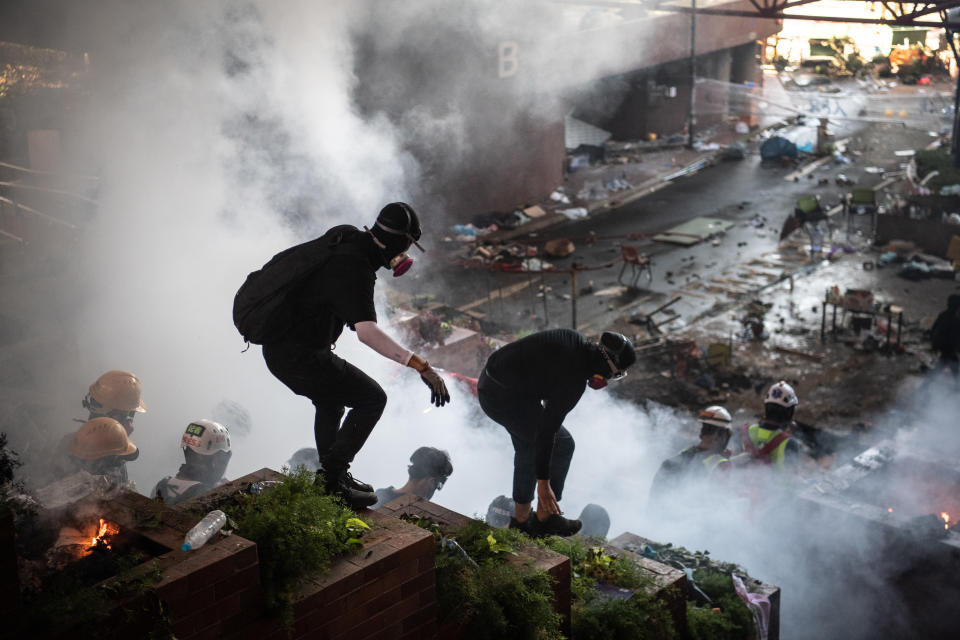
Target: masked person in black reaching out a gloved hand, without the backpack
340 293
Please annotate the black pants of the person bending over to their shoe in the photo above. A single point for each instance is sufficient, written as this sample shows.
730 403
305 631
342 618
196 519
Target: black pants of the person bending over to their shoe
520 416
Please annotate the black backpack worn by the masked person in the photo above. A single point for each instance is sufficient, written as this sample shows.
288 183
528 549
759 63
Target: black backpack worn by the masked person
260 310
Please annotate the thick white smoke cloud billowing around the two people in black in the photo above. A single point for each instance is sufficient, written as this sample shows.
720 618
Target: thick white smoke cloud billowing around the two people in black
226 133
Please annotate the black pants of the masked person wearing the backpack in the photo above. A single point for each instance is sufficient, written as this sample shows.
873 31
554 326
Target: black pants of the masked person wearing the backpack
332 384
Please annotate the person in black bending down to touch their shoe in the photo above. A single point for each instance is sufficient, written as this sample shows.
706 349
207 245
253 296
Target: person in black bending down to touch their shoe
528 387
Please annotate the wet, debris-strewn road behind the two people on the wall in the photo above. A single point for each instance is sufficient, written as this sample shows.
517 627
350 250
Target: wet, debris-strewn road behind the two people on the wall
735 191
